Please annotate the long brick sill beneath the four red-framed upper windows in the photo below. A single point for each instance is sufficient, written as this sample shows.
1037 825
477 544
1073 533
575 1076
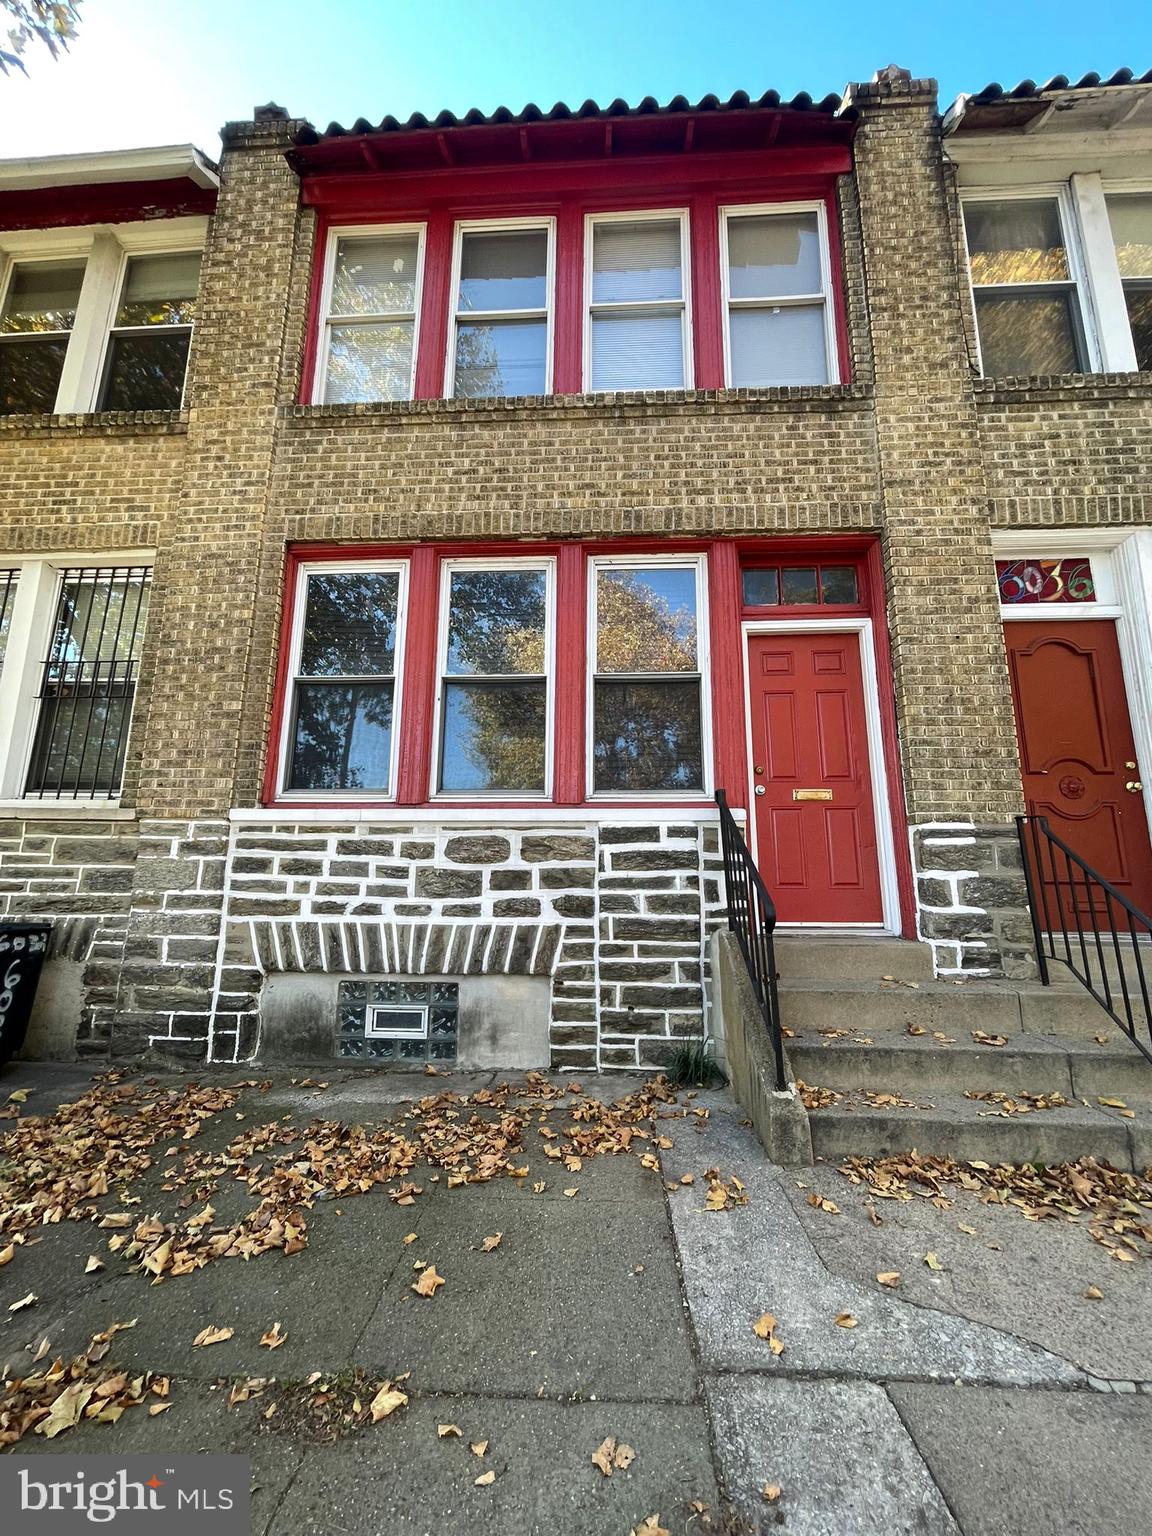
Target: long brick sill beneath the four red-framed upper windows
646 402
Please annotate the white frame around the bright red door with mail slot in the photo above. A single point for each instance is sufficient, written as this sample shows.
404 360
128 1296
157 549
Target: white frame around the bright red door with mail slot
886 841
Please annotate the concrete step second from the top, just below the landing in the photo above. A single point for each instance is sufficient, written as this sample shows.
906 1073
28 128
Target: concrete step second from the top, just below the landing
999 1008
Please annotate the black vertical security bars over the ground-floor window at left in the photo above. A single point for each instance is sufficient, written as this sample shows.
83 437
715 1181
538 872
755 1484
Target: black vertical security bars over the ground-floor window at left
90 683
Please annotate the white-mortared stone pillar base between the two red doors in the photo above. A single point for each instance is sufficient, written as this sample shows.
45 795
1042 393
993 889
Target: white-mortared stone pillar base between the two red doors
973 901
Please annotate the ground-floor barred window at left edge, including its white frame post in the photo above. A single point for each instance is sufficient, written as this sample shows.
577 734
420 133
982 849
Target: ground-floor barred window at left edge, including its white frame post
71 640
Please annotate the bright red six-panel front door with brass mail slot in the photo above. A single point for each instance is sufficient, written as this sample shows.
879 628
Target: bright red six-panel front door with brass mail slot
812 783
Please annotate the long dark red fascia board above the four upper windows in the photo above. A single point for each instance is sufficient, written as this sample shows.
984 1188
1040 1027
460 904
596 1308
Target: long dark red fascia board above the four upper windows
412 190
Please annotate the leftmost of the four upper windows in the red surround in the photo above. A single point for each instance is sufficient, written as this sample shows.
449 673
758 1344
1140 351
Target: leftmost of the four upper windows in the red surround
374 293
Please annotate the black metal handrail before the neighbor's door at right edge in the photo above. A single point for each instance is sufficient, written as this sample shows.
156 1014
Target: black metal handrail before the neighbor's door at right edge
1079 918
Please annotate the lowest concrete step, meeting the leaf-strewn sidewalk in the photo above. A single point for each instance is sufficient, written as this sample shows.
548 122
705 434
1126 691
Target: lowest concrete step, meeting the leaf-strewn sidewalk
950 1125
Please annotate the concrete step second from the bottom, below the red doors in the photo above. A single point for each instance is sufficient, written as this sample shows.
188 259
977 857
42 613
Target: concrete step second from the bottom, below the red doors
916 1067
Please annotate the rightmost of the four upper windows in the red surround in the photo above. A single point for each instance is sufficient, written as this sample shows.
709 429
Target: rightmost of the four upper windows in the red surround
776 297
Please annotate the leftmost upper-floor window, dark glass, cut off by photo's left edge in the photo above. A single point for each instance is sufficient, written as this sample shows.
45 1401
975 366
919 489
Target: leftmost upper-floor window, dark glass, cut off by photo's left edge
36 323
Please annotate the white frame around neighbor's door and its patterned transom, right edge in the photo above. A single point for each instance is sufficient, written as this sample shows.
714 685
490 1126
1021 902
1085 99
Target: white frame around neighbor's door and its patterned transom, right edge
1124 577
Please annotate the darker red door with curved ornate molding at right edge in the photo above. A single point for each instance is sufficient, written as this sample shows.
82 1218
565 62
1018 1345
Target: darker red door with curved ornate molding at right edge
1076 749
